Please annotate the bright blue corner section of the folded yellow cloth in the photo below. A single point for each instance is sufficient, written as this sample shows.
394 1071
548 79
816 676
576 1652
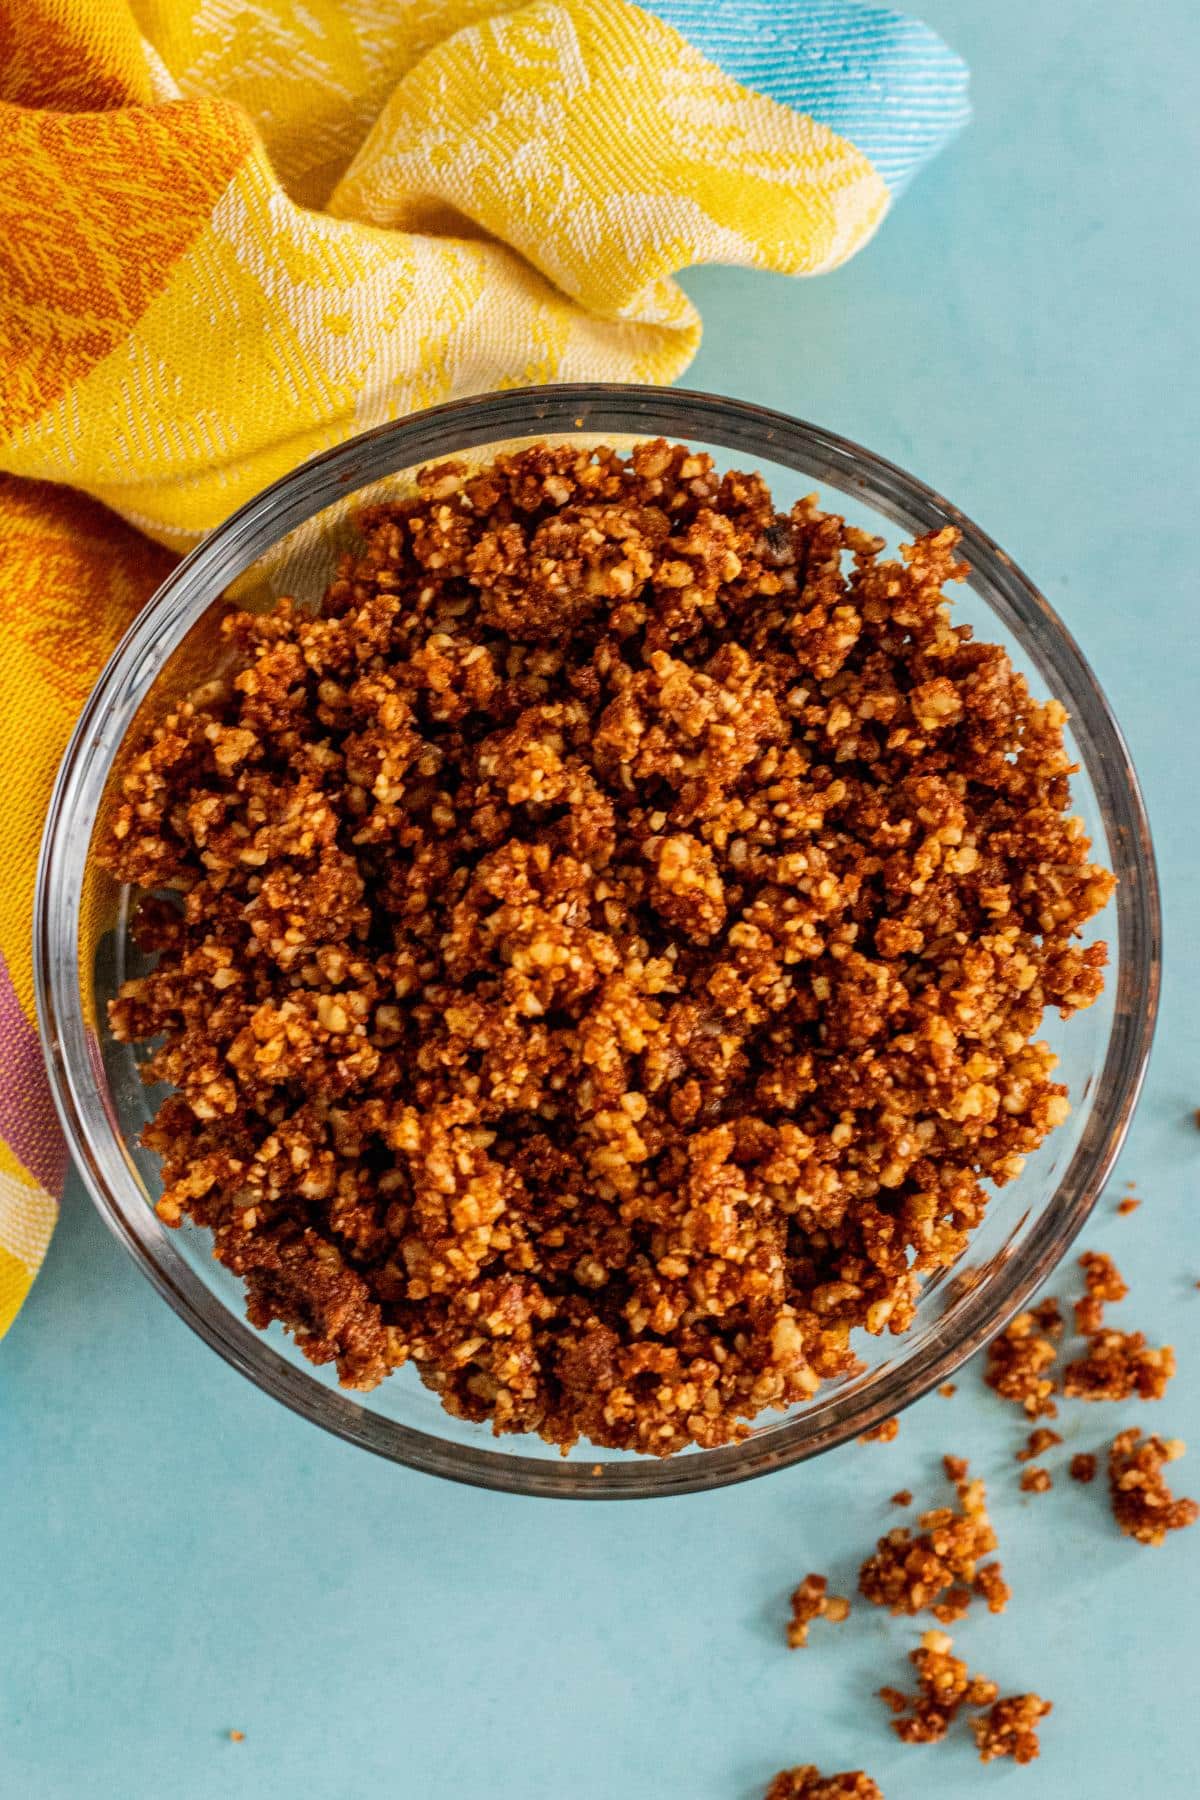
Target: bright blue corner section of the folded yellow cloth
881 78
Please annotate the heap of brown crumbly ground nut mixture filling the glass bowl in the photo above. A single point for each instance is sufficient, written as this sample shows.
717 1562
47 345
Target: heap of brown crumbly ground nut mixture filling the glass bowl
609 944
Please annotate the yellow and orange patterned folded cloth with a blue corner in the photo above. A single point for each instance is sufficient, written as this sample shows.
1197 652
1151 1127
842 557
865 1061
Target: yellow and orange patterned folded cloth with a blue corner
233 237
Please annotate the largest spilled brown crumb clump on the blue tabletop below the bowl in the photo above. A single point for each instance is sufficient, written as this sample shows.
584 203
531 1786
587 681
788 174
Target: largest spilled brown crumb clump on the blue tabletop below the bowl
911 1572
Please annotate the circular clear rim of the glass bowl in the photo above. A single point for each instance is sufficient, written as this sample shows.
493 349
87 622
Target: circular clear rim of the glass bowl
564 411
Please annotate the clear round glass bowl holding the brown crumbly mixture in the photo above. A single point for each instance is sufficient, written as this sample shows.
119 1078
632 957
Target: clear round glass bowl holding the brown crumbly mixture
285 543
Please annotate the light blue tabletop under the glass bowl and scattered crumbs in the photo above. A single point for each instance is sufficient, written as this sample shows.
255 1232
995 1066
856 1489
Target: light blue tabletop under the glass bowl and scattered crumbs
179 1556
